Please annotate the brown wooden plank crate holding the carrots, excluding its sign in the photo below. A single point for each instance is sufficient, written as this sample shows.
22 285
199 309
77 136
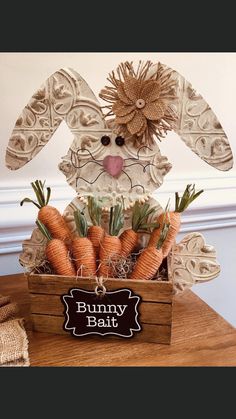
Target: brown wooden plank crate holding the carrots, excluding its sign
155 309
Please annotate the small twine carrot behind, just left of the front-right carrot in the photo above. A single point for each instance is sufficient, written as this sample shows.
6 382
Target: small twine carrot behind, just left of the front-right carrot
140 216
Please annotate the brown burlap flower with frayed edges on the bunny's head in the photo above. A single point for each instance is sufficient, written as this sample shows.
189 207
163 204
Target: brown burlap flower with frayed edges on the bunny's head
141 102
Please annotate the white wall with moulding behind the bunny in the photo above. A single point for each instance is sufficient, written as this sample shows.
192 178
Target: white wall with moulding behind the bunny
214 214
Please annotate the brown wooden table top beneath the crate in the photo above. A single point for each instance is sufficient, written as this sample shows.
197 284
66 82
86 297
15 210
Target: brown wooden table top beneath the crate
200 337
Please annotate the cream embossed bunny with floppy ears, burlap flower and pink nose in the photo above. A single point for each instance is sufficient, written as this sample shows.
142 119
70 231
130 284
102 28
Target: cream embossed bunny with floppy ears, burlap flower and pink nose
117 155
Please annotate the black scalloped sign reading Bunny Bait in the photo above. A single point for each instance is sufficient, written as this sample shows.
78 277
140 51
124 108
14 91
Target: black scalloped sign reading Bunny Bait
109 313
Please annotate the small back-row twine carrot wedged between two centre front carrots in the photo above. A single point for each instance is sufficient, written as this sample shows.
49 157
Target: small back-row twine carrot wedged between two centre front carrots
95 232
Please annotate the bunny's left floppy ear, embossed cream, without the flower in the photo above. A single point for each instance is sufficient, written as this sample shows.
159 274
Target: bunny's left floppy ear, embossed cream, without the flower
64 96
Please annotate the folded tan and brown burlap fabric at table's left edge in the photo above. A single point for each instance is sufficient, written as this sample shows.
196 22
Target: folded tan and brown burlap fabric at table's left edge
13 338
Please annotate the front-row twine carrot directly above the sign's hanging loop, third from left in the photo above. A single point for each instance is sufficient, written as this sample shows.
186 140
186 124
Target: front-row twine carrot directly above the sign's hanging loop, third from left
110 247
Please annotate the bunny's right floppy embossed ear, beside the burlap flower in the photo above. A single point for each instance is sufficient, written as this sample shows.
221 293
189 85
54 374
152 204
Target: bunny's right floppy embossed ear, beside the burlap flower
198 126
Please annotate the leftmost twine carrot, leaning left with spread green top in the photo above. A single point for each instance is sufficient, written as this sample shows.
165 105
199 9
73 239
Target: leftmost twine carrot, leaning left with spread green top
49 216
